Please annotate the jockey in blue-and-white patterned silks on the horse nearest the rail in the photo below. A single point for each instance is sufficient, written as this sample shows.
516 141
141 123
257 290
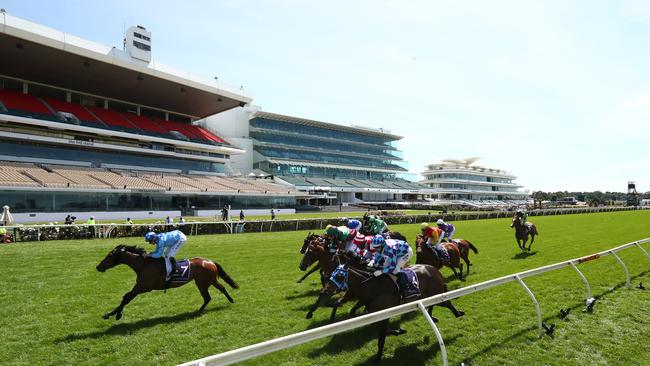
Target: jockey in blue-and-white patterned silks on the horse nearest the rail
391 256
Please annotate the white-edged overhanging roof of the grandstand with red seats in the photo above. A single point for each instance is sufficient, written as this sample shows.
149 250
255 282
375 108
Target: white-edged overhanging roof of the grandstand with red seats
37 53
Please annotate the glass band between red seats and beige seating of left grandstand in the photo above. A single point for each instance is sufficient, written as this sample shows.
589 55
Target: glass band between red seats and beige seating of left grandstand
73 153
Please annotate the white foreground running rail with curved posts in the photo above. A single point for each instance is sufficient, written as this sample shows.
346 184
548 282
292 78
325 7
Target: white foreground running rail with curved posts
277 344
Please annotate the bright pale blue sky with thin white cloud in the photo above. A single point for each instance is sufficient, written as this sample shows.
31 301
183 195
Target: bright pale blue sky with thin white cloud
555 92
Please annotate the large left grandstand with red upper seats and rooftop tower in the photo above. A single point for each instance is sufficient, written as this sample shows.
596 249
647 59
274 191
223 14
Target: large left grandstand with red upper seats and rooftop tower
98 129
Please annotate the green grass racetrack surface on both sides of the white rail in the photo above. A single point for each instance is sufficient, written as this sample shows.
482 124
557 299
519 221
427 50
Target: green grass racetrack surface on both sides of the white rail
53 298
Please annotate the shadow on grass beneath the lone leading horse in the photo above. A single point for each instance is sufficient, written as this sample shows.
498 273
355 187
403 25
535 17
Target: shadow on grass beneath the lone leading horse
127 328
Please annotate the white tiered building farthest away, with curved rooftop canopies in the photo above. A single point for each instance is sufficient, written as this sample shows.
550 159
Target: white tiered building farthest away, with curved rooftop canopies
461 179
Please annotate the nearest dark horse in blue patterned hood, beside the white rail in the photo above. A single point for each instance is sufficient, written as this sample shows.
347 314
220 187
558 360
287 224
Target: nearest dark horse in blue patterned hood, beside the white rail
379 293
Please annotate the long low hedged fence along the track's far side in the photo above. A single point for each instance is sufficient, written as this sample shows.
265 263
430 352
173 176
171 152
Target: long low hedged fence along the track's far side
68 232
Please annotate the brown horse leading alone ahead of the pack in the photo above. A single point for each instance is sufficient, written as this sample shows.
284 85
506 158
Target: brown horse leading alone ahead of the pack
150 274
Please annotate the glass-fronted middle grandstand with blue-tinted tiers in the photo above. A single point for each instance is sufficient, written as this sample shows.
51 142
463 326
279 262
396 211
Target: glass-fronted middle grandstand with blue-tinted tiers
331 163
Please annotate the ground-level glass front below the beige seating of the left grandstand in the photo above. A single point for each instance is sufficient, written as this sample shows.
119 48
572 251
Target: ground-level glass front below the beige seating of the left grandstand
35 201
